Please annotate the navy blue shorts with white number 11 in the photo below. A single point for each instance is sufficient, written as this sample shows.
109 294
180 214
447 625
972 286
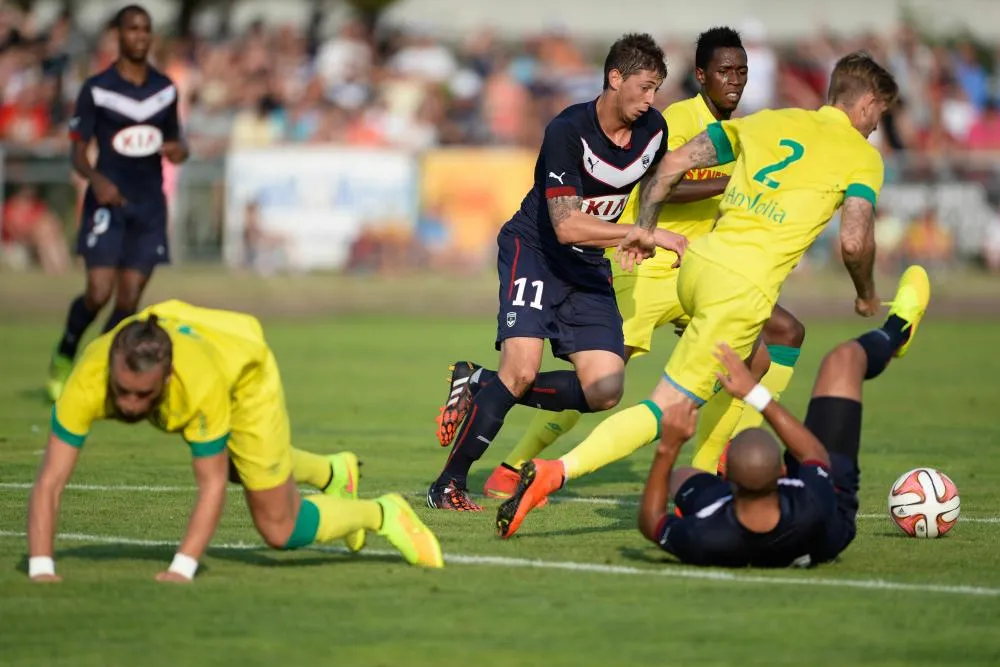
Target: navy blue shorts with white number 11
536 303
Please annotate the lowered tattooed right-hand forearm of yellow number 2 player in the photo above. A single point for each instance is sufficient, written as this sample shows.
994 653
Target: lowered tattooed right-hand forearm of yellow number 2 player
857 245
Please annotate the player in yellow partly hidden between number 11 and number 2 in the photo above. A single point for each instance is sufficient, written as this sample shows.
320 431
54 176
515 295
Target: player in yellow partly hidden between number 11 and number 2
647 297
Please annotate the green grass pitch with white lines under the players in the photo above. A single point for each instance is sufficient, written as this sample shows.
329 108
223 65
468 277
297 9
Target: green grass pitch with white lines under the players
578 586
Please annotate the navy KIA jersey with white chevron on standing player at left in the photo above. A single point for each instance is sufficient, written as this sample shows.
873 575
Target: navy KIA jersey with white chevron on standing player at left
130 124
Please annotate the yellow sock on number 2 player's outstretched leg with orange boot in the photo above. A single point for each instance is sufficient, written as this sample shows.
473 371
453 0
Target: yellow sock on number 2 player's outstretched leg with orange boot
614 438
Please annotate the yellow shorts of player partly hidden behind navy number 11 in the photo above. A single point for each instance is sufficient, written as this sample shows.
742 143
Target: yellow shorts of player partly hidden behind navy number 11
646 304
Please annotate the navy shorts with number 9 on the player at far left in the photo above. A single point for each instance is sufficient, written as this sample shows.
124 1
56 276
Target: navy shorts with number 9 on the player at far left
133 236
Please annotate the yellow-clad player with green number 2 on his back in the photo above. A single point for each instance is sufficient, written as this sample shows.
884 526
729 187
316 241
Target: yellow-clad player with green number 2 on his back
793 169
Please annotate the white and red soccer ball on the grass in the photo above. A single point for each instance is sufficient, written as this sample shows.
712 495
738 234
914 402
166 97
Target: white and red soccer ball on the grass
924 503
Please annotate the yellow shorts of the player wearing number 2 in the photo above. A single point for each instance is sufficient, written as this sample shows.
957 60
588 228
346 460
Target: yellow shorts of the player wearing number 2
724 307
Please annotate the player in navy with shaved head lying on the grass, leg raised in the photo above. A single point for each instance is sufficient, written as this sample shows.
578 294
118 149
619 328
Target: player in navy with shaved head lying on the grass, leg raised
762 515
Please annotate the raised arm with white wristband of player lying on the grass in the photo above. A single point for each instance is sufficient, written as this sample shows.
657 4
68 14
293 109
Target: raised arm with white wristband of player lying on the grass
738 381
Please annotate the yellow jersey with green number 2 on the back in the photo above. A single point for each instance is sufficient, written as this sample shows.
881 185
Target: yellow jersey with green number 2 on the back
793 168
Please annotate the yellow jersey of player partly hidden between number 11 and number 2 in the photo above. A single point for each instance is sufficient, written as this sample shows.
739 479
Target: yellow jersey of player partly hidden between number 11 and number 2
685 120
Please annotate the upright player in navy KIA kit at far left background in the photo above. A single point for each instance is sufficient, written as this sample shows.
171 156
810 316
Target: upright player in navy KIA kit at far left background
130 111
